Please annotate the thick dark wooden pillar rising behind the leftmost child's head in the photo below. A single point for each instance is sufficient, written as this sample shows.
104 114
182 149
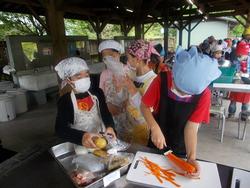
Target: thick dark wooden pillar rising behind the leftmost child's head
56 28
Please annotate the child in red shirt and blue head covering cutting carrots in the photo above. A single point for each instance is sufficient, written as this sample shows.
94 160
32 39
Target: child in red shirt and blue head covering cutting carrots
181 102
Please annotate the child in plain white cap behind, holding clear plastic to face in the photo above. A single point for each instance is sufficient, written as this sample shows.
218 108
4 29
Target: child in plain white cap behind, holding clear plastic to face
115 95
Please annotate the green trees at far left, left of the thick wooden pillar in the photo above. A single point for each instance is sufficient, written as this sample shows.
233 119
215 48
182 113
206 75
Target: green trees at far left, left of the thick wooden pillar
19 24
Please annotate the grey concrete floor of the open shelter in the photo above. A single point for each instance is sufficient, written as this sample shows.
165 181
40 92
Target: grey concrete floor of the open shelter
37 126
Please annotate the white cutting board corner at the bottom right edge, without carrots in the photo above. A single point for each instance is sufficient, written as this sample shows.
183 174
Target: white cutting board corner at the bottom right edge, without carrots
242 176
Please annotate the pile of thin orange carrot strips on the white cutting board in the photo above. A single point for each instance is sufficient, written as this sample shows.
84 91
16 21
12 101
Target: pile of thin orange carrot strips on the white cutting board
159 172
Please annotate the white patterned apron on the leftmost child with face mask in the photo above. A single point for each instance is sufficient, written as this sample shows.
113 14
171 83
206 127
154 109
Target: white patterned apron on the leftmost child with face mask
89 121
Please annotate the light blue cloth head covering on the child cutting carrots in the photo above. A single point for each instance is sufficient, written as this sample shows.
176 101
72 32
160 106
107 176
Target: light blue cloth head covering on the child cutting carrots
193 72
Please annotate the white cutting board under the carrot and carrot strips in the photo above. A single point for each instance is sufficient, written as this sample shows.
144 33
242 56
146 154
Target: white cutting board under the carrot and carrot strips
137 174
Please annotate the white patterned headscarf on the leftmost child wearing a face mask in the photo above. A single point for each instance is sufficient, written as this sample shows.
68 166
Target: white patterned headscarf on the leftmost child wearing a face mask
70 66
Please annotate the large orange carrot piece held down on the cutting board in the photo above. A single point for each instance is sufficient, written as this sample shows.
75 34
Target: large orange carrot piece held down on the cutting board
185 166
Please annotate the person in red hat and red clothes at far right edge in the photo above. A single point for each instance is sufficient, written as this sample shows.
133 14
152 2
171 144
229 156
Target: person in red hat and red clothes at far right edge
242 53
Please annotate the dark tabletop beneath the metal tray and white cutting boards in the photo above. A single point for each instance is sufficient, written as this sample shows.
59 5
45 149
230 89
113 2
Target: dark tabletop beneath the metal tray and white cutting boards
36 168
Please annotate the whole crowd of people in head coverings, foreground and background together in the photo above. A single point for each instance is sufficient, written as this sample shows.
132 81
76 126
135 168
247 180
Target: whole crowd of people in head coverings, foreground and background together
146 101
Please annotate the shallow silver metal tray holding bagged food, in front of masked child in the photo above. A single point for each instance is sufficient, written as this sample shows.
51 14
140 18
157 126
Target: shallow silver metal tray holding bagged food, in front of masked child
64 154
